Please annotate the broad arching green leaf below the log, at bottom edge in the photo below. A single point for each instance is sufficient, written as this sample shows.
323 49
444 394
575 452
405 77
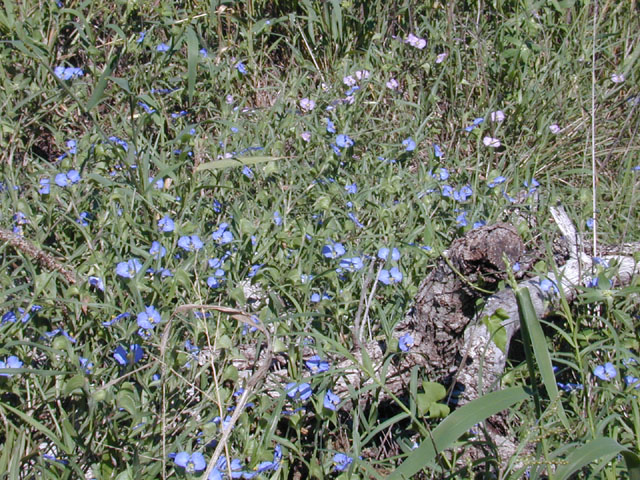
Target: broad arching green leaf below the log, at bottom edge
454 426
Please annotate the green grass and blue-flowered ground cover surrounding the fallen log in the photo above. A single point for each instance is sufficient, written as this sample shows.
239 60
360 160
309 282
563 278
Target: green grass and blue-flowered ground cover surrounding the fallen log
267 157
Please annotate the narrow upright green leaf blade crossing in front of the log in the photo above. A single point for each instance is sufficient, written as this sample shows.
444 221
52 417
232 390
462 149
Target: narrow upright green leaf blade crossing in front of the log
532 332
